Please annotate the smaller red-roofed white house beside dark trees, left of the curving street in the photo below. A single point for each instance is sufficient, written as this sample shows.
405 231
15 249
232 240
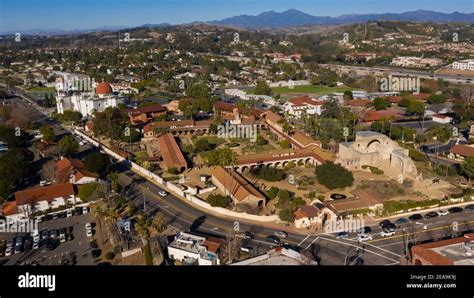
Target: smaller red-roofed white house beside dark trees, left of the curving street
74 171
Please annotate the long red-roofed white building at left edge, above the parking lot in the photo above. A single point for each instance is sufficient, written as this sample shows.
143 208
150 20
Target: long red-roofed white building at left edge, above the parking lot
39 199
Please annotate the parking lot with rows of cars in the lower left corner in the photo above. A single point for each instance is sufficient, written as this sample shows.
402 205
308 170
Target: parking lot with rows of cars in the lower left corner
76 248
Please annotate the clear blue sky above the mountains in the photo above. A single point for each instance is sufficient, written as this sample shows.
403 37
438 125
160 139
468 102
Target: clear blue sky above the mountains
83 14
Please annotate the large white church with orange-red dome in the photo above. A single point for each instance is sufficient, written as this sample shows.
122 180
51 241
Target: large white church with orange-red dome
79 93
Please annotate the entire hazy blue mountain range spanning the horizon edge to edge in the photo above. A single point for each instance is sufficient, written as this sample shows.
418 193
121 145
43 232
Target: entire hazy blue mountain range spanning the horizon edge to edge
288 18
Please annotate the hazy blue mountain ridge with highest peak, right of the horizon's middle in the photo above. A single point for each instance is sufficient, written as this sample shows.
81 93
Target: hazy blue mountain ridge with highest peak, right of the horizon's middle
293 17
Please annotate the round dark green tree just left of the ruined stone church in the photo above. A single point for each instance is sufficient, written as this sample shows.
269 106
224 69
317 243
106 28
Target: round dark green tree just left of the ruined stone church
334 176
